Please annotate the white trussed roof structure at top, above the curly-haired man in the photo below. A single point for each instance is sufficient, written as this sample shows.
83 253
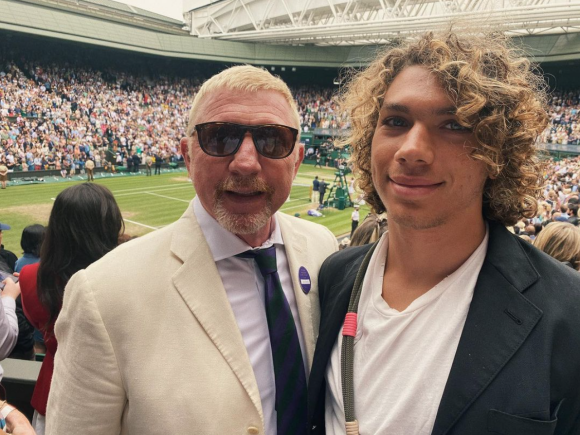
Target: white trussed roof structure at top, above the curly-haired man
363 22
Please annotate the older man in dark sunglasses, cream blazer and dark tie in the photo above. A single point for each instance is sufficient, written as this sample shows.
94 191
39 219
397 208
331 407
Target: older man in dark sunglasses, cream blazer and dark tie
215 333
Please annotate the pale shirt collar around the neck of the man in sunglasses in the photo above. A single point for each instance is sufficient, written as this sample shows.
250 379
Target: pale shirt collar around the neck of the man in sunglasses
224 244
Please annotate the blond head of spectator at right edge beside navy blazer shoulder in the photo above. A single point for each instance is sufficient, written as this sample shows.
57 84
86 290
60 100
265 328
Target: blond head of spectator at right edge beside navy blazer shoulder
561 240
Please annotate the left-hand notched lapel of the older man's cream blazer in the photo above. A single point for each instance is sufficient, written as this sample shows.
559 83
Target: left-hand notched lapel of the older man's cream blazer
200 285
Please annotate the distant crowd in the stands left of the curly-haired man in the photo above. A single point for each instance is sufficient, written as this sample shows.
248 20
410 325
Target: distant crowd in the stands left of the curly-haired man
53 116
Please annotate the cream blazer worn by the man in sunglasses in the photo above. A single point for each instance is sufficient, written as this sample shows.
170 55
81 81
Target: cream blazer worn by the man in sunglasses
148 343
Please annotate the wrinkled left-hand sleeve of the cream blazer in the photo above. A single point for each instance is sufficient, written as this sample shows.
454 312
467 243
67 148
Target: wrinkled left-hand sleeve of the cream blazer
87 394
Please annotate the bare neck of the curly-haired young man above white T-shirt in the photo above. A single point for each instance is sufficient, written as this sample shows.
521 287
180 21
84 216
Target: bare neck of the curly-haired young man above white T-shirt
417 260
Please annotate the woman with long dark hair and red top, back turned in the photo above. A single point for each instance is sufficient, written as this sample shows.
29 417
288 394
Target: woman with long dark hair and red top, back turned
84 225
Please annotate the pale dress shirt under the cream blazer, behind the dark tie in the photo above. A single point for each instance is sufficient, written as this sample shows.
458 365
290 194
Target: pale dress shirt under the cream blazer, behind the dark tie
244 287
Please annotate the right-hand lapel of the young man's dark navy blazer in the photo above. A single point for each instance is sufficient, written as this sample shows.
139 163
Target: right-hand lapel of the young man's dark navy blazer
499 320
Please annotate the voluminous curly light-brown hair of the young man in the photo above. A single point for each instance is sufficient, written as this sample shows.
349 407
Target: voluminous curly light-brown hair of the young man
497 93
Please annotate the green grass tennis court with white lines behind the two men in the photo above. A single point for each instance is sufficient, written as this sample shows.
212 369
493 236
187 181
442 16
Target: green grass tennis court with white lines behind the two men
151 202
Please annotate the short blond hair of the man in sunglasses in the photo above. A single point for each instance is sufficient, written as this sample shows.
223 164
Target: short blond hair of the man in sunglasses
245 78
